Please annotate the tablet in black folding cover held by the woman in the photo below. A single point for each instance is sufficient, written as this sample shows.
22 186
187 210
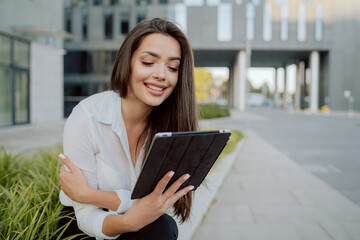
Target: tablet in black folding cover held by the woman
182 152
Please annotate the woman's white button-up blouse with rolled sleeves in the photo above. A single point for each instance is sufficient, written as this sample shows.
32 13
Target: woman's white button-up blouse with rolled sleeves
95 140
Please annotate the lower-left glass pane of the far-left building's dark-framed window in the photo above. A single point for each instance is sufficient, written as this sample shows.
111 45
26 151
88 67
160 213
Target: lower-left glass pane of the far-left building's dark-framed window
5 97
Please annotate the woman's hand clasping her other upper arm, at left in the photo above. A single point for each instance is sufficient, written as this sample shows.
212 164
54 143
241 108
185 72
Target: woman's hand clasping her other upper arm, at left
73 181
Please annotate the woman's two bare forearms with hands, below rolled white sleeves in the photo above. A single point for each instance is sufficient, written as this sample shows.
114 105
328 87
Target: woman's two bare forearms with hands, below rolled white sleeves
142 212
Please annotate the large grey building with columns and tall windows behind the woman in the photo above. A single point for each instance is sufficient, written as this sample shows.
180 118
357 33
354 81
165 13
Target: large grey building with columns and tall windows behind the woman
320 36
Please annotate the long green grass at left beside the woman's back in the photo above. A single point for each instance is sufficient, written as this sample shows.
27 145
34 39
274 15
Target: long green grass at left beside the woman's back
29 202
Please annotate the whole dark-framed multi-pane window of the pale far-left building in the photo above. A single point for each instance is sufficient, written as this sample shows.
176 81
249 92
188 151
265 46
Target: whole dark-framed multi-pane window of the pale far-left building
14 80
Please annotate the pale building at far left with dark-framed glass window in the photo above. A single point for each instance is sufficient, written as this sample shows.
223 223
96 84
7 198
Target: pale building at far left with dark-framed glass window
31 62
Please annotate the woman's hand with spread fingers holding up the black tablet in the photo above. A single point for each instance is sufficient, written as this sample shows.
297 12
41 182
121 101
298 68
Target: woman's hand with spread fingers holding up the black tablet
147 209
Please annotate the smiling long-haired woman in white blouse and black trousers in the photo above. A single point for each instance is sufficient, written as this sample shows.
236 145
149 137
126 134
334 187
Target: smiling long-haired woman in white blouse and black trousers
108 134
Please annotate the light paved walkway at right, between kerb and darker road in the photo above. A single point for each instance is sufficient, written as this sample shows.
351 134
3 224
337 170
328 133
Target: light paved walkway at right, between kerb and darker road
267 195
